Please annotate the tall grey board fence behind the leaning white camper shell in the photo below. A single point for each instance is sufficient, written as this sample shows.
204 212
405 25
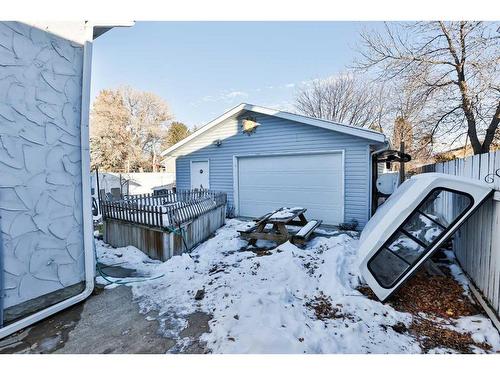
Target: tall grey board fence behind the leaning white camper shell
477 243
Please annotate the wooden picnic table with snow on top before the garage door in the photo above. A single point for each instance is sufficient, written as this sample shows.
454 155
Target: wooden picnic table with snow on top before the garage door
279 233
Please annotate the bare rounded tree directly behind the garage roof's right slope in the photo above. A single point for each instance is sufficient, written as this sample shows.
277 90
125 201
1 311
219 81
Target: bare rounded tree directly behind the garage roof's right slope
345 99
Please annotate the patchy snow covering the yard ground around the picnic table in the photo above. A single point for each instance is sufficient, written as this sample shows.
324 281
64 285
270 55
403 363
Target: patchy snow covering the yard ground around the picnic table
266 304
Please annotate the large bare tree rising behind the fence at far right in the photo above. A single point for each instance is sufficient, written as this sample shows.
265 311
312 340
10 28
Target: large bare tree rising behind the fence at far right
453 67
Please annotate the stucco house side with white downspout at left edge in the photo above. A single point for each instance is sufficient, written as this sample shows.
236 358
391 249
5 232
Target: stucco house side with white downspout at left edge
45 211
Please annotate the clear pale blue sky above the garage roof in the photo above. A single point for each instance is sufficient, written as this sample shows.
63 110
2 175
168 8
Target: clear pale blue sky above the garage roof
204 68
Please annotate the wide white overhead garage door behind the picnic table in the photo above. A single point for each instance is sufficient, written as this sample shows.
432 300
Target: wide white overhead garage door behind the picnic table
313 181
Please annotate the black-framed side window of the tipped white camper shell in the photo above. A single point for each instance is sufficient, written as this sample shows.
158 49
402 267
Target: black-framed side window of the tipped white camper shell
417 235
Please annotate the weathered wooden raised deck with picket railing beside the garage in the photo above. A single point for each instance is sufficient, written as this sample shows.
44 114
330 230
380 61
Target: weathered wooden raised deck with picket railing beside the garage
163 225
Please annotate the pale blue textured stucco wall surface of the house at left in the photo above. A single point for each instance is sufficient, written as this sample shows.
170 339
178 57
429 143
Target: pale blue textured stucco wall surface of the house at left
40 162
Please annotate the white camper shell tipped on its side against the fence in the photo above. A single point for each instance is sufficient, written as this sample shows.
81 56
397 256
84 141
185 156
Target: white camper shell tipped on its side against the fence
409 227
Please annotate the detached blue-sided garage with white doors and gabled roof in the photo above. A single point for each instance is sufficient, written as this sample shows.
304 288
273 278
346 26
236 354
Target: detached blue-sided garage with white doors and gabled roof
265 159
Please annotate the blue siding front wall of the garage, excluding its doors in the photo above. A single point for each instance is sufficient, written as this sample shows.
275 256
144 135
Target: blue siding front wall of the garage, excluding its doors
272 136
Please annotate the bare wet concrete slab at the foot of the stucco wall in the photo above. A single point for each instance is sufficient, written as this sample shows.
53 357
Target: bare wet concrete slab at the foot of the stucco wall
107 322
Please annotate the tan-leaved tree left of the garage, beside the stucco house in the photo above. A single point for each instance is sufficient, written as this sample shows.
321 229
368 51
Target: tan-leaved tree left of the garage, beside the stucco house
128 129
